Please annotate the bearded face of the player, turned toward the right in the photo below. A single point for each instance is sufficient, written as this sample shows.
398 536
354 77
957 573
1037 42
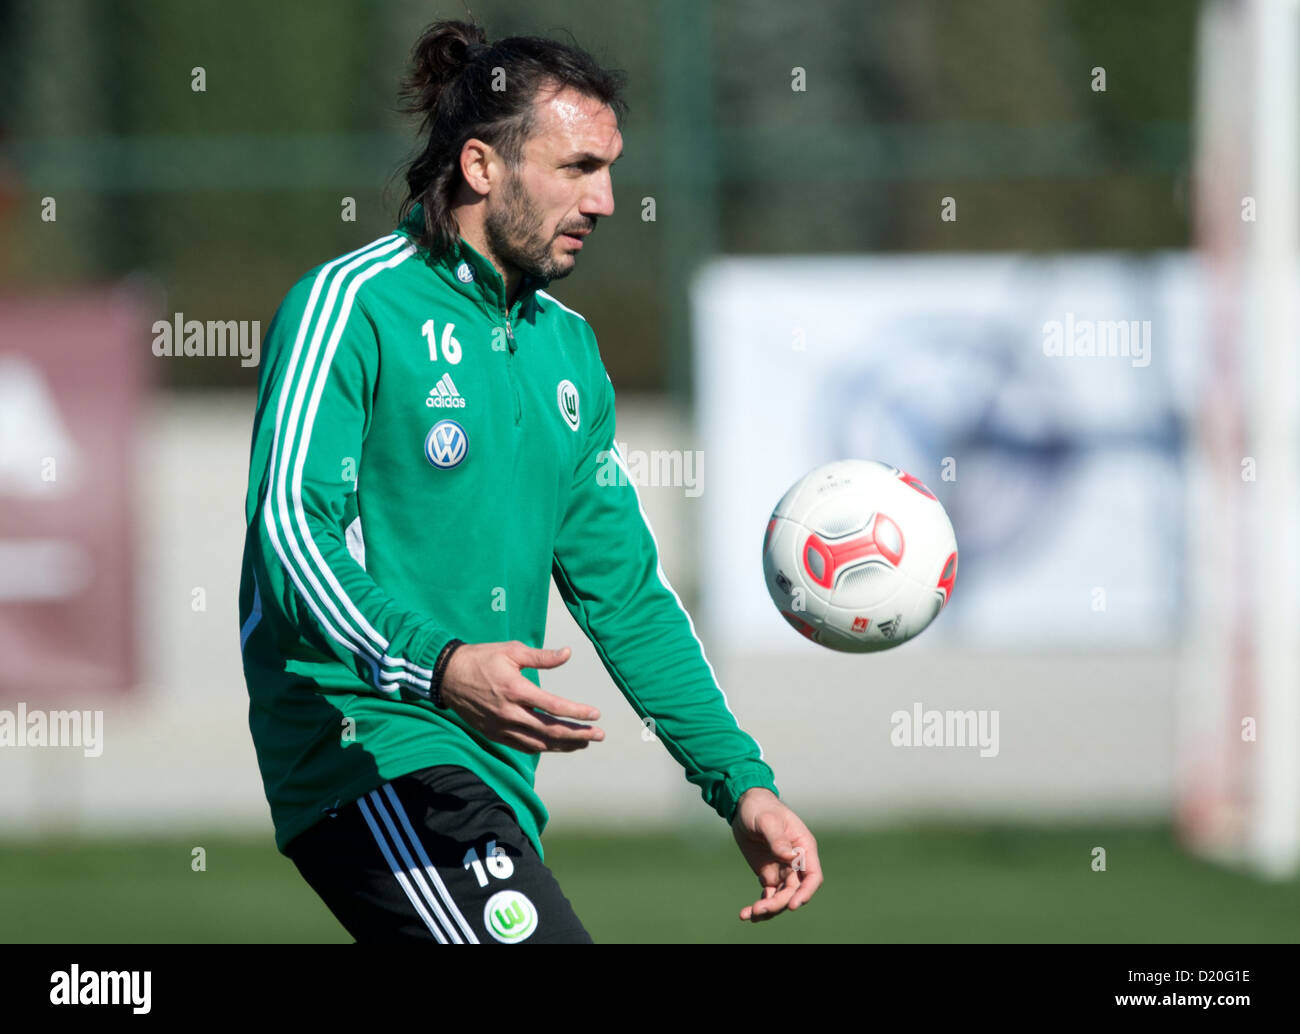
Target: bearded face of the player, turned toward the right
536 222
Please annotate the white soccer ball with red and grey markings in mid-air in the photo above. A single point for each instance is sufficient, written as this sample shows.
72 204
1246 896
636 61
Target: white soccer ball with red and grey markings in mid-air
860 557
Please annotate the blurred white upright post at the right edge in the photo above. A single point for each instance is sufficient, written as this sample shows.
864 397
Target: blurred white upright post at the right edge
1275 438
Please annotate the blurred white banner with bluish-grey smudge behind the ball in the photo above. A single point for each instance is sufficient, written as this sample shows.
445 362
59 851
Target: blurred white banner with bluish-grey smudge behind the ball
1043 400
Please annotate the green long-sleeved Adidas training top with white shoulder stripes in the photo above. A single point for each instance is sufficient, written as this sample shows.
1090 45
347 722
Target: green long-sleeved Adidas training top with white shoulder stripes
423 462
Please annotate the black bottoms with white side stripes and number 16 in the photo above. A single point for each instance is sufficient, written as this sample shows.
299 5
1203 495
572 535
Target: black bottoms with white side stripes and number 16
435 856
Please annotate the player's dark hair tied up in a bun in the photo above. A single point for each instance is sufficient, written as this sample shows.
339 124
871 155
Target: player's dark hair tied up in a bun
450 84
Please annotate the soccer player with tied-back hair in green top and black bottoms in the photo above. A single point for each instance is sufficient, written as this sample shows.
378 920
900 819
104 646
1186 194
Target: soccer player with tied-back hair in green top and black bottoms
434 443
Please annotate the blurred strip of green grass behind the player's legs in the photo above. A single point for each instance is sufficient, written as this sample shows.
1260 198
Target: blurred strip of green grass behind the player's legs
916 885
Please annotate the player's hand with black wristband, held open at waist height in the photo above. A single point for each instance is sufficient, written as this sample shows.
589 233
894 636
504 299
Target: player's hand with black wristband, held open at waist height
484 686
